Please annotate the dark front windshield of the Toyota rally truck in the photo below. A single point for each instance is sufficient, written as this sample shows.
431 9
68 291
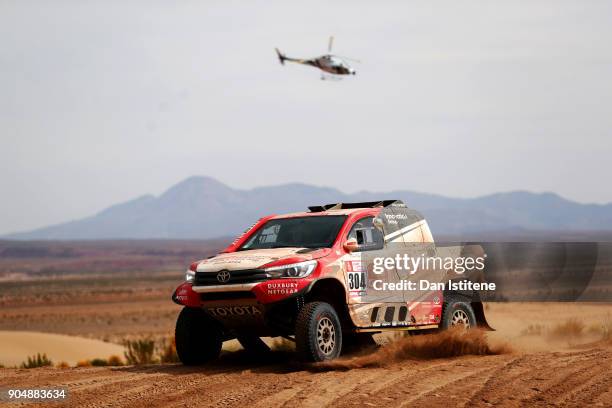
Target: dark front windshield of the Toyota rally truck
298 232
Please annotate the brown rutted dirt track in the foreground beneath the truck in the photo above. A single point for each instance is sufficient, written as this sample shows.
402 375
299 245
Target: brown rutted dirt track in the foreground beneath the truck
569 378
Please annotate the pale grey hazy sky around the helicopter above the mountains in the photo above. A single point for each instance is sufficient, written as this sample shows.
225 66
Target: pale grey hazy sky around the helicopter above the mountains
103 101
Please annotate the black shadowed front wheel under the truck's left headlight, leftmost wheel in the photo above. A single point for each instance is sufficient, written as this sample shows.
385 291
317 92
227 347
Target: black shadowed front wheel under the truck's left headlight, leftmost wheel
198 337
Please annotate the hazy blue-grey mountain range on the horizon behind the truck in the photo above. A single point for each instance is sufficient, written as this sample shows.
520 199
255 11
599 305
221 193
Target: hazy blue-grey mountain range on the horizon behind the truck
202 207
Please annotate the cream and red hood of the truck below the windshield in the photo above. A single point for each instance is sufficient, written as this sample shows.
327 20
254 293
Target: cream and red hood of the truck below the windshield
257 258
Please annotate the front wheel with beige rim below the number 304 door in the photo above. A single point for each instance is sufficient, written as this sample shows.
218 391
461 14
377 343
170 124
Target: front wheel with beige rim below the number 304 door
318 333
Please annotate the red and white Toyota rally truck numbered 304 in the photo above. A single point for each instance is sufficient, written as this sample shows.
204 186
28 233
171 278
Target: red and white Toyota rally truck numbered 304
307 277
